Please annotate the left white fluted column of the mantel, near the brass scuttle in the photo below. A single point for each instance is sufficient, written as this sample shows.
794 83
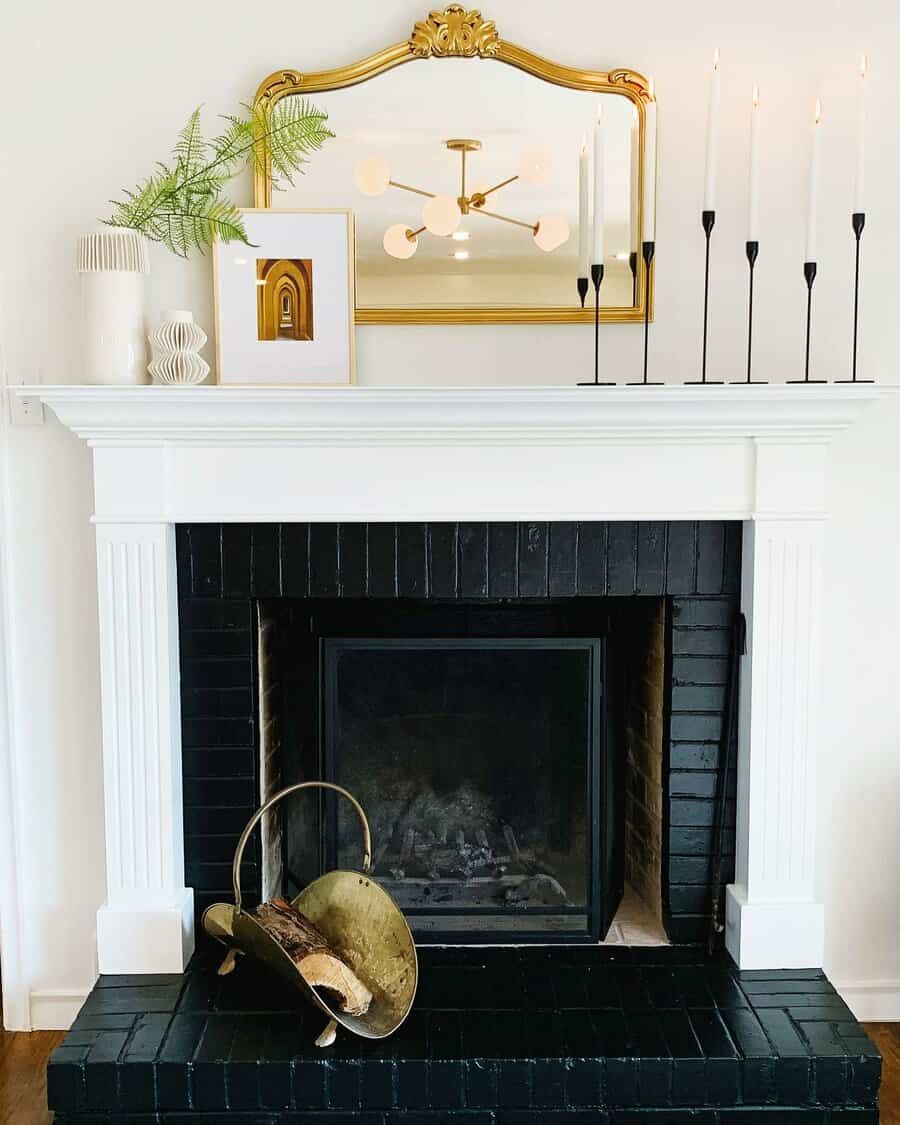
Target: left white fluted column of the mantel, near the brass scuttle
147 924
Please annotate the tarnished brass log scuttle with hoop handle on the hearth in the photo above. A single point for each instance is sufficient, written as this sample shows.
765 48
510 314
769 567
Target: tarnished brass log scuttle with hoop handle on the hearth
362 922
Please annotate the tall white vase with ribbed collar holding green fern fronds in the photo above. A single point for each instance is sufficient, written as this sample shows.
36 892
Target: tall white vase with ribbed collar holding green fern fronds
113 264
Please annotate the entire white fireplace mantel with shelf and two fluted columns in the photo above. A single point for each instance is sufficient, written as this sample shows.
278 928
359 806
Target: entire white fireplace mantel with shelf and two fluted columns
165 456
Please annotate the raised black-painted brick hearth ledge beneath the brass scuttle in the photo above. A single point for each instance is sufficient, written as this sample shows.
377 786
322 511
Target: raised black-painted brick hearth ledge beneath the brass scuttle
591 1036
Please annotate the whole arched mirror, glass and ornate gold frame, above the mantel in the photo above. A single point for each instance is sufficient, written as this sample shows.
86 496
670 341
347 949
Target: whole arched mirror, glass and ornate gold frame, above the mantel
506 152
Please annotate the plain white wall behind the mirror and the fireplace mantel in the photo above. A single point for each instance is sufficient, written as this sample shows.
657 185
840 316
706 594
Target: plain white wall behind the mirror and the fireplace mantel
93 96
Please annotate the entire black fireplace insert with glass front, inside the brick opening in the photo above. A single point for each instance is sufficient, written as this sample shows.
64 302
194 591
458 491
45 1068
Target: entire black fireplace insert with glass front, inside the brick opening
476 739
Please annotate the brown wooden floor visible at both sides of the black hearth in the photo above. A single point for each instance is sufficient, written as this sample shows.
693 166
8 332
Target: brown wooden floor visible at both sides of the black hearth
24 1059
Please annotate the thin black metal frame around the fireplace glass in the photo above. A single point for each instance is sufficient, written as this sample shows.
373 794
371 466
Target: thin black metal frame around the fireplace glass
600 803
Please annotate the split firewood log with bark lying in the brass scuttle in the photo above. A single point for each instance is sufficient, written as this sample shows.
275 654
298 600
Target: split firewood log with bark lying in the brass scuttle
317 962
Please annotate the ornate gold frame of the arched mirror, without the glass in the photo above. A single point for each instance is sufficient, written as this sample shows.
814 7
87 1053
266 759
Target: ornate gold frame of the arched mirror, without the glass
461 33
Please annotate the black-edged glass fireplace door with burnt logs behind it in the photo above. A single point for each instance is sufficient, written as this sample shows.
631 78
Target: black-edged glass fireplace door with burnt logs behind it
478 762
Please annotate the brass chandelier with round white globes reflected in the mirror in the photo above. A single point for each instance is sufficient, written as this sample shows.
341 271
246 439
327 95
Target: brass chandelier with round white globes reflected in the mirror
443 215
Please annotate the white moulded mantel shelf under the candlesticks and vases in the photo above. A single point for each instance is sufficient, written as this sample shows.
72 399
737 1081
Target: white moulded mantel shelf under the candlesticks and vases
453 416
